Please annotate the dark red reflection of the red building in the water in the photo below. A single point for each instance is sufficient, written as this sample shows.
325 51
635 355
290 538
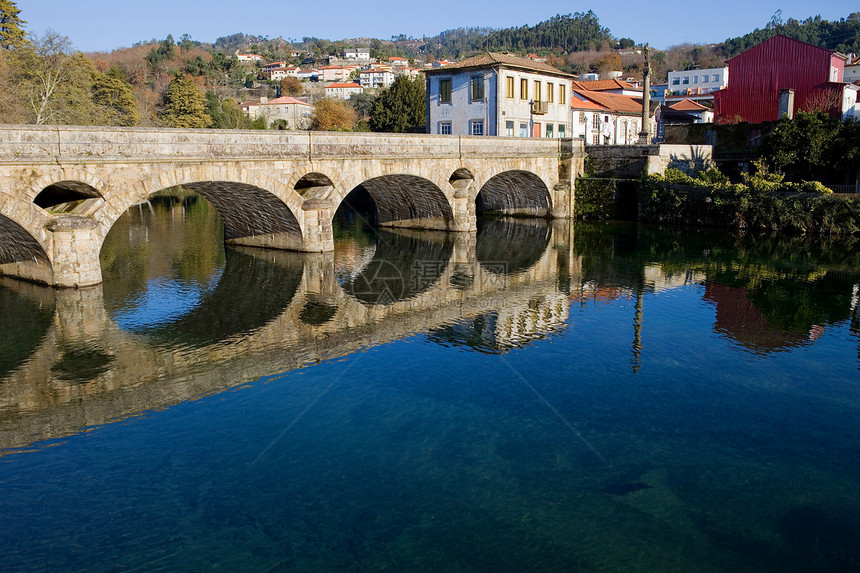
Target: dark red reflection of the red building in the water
739 319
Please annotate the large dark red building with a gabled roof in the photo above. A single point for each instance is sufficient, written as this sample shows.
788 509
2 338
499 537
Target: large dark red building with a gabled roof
783 76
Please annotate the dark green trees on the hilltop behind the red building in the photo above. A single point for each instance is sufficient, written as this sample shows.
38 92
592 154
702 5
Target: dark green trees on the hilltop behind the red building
842 36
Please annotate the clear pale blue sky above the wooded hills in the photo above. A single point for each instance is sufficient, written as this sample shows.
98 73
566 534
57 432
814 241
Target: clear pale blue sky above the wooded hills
103 25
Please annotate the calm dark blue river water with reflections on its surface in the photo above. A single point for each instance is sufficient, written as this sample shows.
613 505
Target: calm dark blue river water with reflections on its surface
539 397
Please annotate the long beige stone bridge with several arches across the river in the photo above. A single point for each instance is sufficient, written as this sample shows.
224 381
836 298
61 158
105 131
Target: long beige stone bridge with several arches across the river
62 188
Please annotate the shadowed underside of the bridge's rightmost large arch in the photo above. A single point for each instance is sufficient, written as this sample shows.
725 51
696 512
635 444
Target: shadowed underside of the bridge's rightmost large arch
514 193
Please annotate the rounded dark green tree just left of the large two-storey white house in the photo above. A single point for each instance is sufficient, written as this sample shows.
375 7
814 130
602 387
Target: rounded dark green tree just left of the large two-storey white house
399 108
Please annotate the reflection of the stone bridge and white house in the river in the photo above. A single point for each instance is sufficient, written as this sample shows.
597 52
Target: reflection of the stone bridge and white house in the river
137 343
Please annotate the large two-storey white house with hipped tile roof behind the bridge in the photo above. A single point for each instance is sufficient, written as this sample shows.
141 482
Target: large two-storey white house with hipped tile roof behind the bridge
498 94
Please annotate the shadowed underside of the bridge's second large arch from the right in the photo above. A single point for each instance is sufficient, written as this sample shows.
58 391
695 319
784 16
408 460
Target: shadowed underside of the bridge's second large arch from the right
408 201
